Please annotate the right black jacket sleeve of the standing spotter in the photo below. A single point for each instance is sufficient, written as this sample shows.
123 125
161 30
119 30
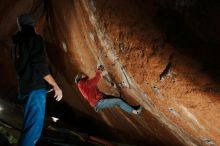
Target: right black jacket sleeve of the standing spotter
38 56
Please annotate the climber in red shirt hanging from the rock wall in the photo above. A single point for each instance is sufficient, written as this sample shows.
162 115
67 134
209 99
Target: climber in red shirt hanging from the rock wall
96 98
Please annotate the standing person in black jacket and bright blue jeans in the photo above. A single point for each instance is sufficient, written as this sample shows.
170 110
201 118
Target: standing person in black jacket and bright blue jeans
33 75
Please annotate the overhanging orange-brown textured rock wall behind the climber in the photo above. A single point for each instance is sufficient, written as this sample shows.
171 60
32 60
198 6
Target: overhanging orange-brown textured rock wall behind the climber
158 53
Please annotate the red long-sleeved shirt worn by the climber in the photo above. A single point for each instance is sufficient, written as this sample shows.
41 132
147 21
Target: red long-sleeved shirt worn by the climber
89 89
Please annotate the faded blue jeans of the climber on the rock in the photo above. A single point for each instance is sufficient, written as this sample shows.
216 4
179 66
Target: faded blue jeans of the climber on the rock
110 102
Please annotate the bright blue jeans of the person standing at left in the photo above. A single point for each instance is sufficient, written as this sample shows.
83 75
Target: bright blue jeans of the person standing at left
34 112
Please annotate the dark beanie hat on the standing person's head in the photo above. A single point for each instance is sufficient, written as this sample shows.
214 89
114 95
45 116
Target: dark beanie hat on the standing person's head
26 19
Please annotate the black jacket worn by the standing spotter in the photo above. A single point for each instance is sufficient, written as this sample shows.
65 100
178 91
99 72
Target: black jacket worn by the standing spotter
30 60
